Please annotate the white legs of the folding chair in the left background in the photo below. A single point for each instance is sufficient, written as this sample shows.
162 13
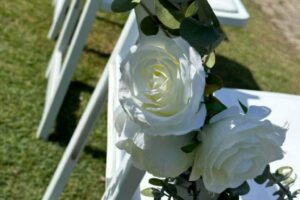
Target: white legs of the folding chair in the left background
61 68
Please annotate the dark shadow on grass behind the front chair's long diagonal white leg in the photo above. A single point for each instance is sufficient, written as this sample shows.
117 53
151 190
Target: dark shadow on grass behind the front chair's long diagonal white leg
67 119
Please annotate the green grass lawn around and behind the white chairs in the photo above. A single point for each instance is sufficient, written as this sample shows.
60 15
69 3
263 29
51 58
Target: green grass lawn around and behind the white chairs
256 57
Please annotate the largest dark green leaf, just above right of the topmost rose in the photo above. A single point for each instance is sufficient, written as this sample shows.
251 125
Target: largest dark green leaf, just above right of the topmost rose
203 38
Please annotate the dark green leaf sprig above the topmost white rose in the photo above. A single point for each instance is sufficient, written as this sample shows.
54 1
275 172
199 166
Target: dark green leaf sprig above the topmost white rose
193 20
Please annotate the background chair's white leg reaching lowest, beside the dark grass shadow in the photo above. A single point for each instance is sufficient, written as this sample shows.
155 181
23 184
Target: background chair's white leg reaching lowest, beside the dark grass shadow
68 67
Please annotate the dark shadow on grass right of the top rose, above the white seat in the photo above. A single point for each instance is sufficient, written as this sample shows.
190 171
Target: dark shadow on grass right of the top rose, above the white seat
234 74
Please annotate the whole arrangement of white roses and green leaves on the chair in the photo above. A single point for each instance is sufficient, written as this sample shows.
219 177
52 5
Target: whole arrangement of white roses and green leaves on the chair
170 122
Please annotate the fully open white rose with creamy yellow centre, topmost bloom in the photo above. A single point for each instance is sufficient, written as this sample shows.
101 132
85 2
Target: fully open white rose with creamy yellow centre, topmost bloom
161 87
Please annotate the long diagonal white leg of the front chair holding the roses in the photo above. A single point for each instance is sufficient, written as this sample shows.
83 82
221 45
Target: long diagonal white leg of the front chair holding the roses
87 121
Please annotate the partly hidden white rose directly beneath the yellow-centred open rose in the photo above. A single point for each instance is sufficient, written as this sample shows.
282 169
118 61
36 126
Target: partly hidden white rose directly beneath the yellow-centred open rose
160 155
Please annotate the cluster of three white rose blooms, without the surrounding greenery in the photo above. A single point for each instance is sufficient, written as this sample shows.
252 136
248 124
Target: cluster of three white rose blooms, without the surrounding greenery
162 97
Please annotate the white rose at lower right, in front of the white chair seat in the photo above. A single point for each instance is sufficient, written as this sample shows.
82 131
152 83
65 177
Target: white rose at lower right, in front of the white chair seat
236 147
